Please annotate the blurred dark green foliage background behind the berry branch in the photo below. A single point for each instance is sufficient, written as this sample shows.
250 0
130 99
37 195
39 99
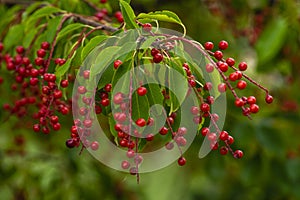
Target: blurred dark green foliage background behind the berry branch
266 34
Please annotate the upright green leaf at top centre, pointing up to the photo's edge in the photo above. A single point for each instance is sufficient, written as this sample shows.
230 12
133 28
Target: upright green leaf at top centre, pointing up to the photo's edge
128 15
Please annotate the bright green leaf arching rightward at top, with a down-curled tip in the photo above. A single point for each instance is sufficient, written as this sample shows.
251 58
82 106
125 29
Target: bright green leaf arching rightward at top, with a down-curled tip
165 15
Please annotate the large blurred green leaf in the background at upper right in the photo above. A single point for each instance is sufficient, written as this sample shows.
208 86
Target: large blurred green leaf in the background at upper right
271 40
